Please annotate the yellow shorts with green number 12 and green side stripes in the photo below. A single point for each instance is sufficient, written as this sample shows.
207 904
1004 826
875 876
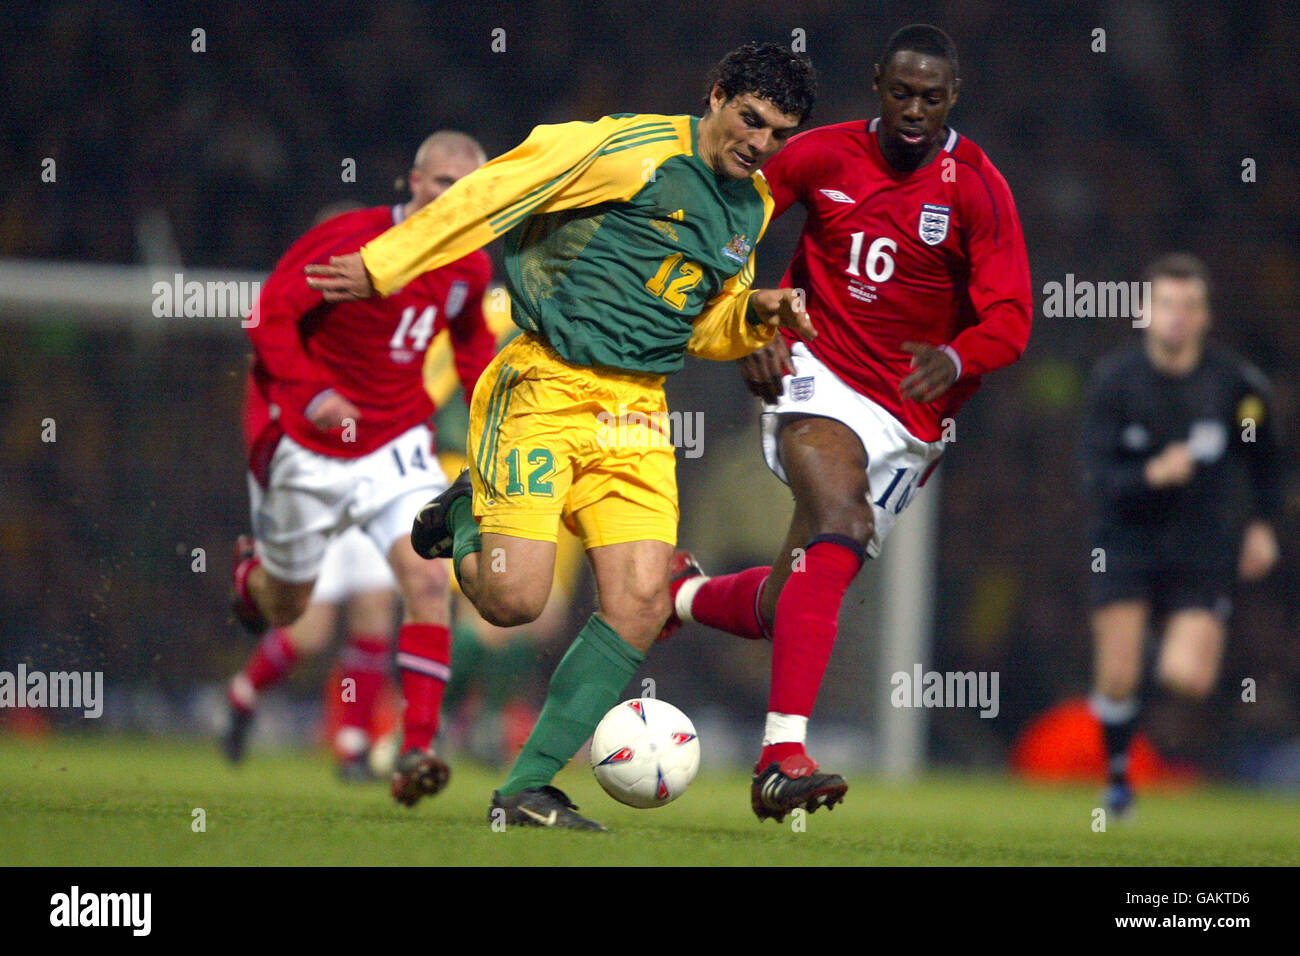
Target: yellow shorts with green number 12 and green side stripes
553 442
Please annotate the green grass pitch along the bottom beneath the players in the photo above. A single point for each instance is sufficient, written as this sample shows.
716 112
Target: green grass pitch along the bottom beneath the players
132 803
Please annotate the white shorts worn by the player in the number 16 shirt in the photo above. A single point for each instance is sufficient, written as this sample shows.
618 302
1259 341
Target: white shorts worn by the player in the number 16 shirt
899 464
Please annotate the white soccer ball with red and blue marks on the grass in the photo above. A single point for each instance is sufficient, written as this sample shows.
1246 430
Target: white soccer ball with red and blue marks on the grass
645 752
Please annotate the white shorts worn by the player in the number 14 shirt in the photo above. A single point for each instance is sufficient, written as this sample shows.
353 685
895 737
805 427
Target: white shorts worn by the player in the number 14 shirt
311 498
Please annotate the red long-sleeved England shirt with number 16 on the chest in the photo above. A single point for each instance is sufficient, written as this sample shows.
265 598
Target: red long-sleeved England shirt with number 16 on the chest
935 256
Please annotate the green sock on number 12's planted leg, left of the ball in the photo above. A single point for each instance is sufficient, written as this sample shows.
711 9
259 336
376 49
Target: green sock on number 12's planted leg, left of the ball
587 684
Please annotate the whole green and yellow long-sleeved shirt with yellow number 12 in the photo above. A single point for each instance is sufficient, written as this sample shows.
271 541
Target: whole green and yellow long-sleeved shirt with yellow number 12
623 248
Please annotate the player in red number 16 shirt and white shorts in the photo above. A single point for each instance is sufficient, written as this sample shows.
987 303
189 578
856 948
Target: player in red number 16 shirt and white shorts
917 279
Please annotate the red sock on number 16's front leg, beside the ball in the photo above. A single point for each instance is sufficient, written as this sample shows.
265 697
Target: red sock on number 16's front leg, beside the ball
807 618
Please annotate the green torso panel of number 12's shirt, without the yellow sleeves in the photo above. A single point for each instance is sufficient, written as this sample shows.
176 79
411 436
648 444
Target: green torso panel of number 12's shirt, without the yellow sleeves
621 284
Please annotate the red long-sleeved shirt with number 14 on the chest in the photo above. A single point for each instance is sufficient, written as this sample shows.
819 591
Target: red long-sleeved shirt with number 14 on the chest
370 352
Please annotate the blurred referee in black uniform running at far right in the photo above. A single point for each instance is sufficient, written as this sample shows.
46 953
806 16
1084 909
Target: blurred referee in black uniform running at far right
1181 466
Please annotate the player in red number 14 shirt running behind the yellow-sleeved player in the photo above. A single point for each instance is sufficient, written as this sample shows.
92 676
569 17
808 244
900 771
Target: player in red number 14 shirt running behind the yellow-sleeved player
336 429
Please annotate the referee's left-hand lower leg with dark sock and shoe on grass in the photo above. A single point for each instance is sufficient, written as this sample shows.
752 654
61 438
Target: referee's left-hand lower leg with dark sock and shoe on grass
1119 629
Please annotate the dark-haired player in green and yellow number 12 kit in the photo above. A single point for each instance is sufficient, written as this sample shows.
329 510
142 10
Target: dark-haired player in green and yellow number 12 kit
630 243
